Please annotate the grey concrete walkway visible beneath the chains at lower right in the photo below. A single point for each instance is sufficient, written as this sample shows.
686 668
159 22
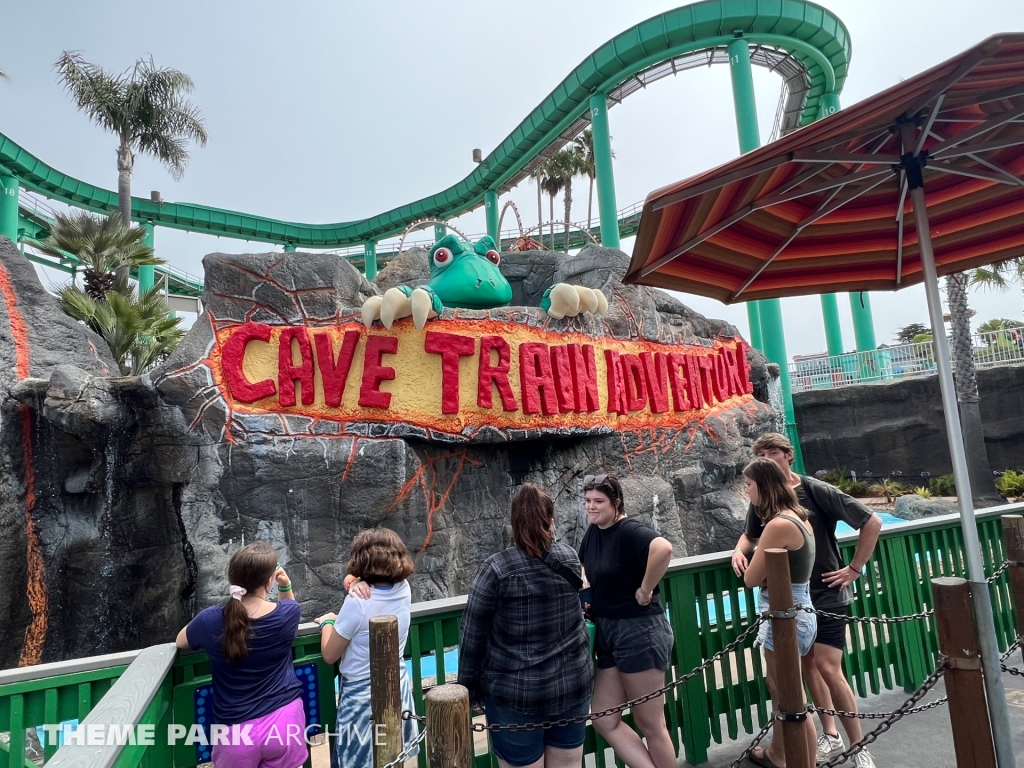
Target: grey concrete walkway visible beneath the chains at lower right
917 741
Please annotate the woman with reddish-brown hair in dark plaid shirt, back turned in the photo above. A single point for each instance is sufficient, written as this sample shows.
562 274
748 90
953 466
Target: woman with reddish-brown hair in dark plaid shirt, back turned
525 654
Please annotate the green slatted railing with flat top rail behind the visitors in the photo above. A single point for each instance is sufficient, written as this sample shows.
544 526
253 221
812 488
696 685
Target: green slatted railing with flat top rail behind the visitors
708 609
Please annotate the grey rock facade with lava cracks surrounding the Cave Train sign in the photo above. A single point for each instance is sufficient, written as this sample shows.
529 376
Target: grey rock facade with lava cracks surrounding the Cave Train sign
145 487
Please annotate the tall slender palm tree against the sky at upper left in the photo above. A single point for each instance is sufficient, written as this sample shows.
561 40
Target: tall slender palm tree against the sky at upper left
144 107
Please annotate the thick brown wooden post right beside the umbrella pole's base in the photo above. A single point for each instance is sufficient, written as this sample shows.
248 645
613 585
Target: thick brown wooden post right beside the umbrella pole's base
965 686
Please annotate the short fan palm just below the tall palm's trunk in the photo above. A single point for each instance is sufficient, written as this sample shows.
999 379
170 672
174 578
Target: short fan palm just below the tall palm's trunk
104 247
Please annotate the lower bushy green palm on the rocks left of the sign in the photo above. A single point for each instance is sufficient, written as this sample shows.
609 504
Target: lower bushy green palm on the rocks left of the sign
136 327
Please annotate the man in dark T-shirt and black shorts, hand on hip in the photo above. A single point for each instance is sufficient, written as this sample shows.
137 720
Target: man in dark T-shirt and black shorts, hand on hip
831 582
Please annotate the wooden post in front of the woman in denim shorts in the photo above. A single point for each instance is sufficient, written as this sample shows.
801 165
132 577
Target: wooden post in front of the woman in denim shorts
789 681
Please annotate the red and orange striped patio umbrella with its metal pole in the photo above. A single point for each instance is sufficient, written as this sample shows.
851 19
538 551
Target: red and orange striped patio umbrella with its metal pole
925 179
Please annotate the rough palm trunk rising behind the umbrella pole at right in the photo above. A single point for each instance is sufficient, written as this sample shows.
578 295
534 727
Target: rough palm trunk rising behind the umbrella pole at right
966 385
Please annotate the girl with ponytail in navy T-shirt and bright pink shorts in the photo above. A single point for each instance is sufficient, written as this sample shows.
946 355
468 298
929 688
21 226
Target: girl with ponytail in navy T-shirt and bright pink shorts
249 644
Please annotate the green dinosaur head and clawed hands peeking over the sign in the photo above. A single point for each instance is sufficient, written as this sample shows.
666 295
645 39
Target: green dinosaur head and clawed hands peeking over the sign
467 276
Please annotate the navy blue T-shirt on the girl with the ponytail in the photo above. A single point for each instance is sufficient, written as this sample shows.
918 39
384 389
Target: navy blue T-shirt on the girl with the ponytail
266 680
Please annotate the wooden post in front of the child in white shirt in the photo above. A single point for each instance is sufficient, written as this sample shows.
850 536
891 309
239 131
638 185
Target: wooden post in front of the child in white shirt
386 690
